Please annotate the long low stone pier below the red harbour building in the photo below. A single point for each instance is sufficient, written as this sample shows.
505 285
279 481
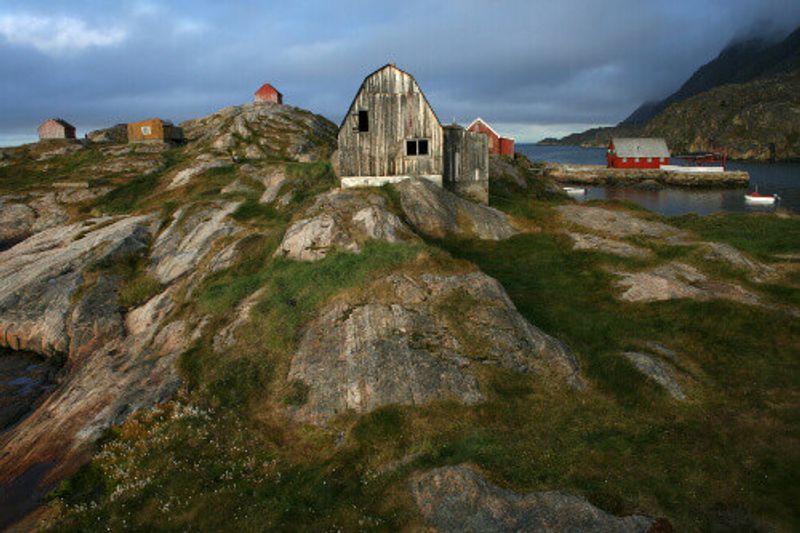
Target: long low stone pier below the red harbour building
600 175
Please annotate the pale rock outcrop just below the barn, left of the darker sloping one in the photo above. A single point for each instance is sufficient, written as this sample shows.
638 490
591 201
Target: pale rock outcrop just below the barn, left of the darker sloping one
343 219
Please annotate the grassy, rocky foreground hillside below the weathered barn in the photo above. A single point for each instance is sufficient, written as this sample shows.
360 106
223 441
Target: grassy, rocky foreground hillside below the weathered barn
216 336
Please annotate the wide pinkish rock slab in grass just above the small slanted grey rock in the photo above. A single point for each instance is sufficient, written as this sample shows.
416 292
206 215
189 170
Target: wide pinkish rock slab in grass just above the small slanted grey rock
678 280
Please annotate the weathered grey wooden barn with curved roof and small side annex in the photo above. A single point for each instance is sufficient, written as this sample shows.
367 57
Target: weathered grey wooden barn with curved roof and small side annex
391 133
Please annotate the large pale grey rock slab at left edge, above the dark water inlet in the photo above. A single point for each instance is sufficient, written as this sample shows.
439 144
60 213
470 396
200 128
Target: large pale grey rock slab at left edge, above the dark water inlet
39 276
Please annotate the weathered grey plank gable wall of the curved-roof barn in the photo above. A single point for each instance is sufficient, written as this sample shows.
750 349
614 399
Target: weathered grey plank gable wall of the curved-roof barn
398 111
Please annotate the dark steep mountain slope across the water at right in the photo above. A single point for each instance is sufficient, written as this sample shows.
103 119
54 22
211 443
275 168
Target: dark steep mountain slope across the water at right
745 100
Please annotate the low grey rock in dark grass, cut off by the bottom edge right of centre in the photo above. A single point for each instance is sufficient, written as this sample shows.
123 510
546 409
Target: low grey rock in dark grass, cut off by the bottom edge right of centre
457 499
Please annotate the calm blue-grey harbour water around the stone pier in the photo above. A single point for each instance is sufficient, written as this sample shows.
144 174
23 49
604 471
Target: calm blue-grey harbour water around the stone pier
770 178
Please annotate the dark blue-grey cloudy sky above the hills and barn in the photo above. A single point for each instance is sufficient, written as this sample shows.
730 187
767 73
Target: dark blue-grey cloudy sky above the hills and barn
533 68
